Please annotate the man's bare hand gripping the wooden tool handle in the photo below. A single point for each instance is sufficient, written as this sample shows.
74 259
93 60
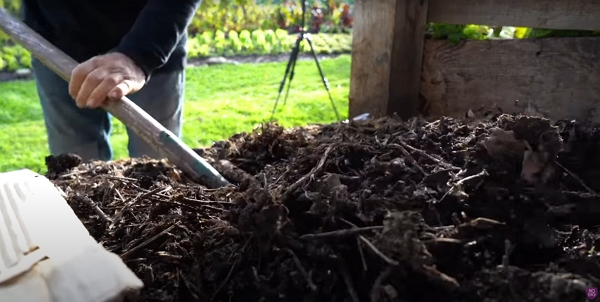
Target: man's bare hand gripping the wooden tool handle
113 75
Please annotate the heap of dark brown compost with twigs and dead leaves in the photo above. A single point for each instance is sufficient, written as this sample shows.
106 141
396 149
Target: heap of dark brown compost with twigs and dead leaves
501 209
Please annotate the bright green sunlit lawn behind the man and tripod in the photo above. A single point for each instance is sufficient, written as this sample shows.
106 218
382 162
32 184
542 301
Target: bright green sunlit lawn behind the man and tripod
220 101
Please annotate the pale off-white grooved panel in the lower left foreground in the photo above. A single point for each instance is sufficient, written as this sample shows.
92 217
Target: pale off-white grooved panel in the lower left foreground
46 254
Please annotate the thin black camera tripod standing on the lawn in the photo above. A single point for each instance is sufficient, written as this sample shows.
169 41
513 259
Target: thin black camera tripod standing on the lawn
291 66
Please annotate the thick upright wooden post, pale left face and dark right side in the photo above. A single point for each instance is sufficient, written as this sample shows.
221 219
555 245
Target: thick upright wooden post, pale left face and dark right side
387 52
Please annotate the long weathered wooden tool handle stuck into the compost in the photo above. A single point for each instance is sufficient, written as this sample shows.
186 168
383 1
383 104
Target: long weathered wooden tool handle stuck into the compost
159 137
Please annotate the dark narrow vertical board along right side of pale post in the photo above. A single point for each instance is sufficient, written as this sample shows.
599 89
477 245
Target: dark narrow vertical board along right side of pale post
407 57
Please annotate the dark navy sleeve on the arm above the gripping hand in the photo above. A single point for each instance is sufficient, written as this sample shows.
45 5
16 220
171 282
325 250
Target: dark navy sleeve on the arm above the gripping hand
157 31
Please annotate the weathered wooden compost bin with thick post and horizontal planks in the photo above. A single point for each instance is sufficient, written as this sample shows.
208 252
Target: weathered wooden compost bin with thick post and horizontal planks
396 70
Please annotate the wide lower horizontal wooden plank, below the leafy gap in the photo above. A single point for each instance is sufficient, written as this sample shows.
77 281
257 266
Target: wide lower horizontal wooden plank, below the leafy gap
557 78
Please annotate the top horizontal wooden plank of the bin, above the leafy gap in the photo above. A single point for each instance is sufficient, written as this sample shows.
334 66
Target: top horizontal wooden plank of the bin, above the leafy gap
551 14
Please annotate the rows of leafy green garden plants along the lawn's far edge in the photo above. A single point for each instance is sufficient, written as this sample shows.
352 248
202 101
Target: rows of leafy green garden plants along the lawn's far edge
260 25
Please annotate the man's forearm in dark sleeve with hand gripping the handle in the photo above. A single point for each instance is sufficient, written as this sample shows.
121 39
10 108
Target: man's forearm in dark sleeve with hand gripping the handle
146 47
